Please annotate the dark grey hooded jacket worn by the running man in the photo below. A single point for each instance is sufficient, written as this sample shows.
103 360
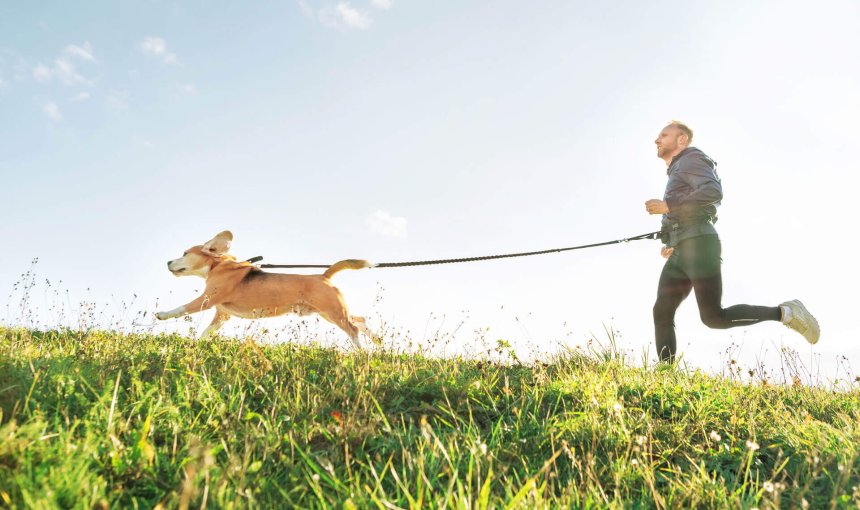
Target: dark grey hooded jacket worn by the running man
693 193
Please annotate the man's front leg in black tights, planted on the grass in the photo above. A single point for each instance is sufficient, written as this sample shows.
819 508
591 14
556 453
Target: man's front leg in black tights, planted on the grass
673 288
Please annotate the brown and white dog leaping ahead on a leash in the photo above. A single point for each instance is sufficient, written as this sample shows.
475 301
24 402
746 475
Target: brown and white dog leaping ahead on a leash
243 290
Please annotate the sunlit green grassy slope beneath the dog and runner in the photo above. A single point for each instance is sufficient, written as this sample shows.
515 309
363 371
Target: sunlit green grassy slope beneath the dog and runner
98 420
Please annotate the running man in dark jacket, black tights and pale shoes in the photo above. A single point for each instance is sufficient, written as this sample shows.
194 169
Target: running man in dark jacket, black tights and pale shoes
692 248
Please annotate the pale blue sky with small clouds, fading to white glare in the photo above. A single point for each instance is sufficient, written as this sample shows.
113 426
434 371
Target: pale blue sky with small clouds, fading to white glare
396 130
